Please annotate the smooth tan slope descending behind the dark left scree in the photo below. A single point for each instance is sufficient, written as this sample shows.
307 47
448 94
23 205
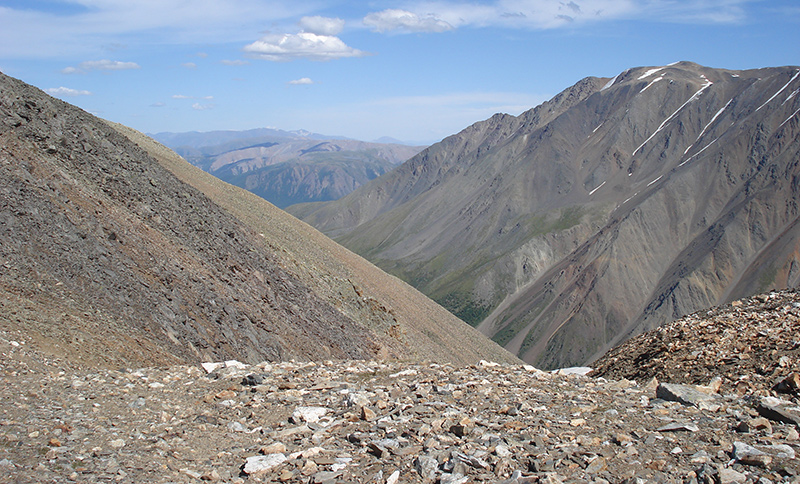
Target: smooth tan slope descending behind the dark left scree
352 284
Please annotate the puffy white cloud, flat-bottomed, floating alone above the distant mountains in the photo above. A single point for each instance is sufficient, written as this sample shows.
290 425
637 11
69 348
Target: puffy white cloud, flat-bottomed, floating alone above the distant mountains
306 45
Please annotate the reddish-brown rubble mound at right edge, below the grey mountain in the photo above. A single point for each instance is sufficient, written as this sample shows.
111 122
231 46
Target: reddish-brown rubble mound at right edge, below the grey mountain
751 344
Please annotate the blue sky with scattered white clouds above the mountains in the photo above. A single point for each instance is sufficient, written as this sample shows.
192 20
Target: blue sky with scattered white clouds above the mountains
416 70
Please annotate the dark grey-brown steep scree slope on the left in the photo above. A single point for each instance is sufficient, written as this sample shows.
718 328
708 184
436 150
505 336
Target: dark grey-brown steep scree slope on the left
108 259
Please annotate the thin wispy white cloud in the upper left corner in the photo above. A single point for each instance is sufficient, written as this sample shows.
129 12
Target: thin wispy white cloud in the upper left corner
89 26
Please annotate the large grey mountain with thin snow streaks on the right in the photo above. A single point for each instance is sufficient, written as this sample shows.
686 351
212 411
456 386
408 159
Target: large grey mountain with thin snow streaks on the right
617 206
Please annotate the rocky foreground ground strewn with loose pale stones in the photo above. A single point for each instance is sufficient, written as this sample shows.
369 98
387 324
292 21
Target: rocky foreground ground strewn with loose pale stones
378 422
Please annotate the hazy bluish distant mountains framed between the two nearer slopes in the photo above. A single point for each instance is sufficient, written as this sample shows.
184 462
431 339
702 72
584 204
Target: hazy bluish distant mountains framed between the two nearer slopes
288 167
